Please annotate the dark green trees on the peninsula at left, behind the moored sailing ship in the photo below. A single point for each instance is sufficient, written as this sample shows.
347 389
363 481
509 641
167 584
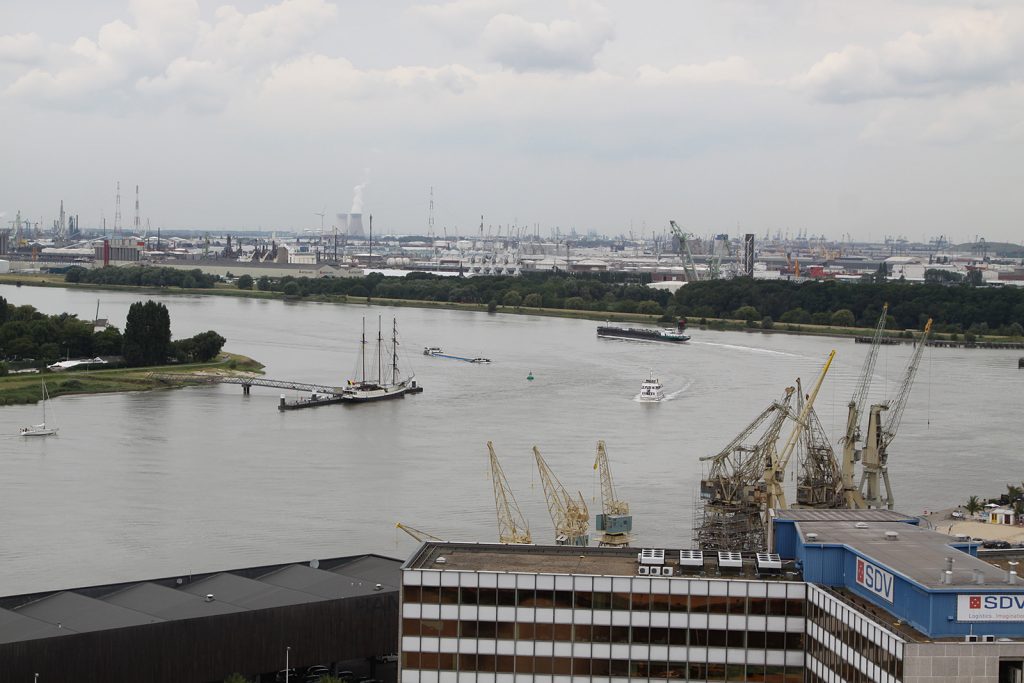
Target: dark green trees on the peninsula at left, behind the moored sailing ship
30 338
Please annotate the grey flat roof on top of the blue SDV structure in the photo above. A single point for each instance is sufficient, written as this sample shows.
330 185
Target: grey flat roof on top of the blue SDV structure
919 554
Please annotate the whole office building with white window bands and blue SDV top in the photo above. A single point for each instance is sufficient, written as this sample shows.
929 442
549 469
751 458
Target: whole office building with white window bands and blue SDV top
844 595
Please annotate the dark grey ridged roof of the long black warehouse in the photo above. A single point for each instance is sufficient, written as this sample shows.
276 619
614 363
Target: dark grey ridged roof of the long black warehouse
92 609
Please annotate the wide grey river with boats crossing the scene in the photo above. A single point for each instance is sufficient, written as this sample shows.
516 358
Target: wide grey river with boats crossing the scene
160 484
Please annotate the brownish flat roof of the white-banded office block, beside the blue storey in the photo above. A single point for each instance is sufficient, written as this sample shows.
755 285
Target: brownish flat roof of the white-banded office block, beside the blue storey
569 561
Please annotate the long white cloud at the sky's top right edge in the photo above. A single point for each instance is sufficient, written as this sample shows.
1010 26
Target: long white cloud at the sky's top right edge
960 52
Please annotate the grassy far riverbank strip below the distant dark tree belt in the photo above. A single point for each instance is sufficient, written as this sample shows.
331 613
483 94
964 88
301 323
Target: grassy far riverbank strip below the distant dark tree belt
42 280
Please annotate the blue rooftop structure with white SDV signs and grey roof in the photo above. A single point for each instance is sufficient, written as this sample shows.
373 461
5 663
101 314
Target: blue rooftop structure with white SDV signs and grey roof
923 579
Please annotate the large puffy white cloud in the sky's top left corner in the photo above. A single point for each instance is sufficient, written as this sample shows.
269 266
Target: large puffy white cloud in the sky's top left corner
169 50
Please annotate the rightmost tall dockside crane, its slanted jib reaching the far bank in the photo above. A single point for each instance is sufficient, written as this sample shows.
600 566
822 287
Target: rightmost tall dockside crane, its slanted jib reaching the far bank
876 455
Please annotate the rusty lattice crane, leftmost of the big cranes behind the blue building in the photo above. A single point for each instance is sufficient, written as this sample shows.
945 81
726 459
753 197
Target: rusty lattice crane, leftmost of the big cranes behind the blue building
734 493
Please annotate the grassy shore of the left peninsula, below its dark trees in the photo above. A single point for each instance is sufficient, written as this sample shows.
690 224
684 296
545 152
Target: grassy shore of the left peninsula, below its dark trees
25 389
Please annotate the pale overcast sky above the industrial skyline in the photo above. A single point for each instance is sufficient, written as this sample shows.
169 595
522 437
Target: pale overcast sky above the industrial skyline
871 118
